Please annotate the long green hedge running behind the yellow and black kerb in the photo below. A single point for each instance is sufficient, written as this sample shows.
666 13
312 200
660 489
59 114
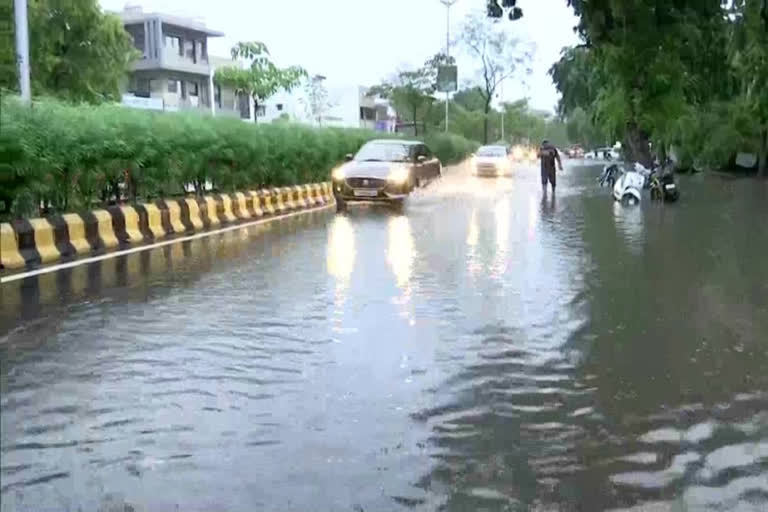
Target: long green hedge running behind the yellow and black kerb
69 157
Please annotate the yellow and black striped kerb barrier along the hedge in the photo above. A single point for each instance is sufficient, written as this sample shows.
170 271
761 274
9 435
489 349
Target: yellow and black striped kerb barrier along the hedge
29 243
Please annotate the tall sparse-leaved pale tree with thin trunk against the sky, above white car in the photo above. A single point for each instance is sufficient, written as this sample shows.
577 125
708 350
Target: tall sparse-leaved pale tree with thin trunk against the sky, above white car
499 56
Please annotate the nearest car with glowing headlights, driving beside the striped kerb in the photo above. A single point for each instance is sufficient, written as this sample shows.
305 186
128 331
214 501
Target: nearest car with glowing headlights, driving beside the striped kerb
384 171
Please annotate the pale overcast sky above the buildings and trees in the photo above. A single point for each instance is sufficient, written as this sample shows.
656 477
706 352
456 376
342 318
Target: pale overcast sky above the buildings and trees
361 42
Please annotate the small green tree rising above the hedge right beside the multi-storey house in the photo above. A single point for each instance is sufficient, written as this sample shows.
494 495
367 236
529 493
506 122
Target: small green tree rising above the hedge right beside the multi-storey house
262 78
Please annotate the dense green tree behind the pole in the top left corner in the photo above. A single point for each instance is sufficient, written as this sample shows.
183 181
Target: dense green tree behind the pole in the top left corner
76 51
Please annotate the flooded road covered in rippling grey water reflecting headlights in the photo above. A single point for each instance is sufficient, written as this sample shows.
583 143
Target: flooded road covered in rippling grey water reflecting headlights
488 349
